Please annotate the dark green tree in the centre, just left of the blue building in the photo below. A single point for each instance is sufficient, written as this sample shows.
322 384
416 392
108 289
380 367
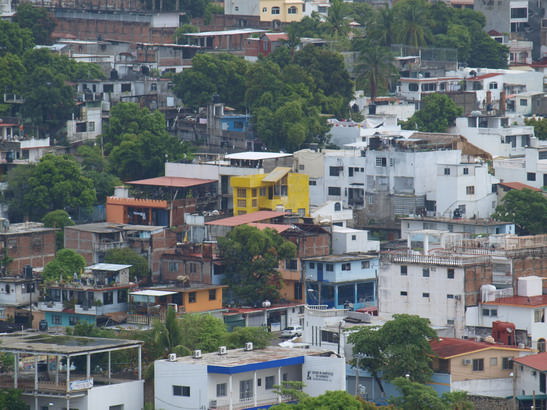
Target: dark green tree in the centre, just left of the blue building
251 258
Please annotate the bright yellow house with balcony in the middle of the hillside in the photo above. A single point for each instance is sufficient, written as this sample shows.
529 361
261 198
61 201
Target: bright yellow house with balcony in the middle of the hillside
279 188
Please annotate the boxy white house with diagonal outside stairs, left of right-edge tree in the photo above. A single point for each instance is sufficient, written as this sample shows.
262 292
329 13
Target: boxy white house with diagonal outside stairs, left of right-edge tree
467 189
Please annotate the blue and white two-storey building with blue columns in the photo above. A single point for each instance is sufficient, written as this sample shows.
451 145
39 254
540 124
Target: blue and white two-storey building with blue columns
342 281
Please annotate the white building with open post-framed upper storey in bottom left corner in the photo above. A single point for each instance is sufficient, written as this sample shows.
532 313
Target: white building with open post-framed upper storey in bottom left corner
50 372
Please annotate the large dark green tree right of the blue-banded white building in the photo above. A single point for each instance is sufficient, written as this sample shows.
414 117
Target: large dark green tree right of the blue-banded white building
398 348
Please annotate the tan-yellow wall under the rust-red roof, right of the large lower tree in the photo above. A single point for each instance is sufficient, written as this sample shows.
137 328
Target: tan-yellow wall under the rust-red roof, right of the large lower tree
460 372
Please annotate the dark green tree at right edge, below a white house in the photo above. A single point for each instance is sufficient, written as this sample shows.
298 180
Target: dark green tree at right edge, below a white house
527 209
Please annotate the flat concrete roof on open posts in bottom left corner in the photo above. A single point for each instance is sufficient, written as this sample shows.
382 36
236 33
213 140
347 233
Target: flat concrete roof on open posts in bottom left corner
45 343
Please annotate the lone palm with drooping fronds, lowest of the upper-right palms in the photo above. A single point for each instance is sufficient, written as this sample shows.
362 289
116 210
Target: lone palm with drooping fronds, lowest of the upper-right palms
376 67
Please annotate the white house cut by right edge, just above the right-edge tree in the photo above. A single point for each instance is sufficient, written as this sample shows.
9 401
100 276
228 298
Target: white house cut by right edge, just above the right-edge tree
531 169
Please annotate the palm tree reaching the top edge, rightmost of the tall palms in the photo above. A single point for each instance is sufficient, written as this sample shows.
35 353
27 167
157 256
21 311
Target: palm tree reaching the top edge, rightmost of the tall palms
411 23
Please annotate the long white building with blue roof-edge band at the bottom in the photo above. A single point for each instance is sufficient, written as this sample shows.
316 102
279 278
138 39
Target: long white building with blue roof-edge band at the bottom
243 378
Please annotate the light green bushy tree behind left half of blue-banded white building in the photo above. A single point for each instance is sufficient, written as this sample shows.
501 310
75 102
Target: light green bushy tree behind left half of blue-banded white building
202 331
